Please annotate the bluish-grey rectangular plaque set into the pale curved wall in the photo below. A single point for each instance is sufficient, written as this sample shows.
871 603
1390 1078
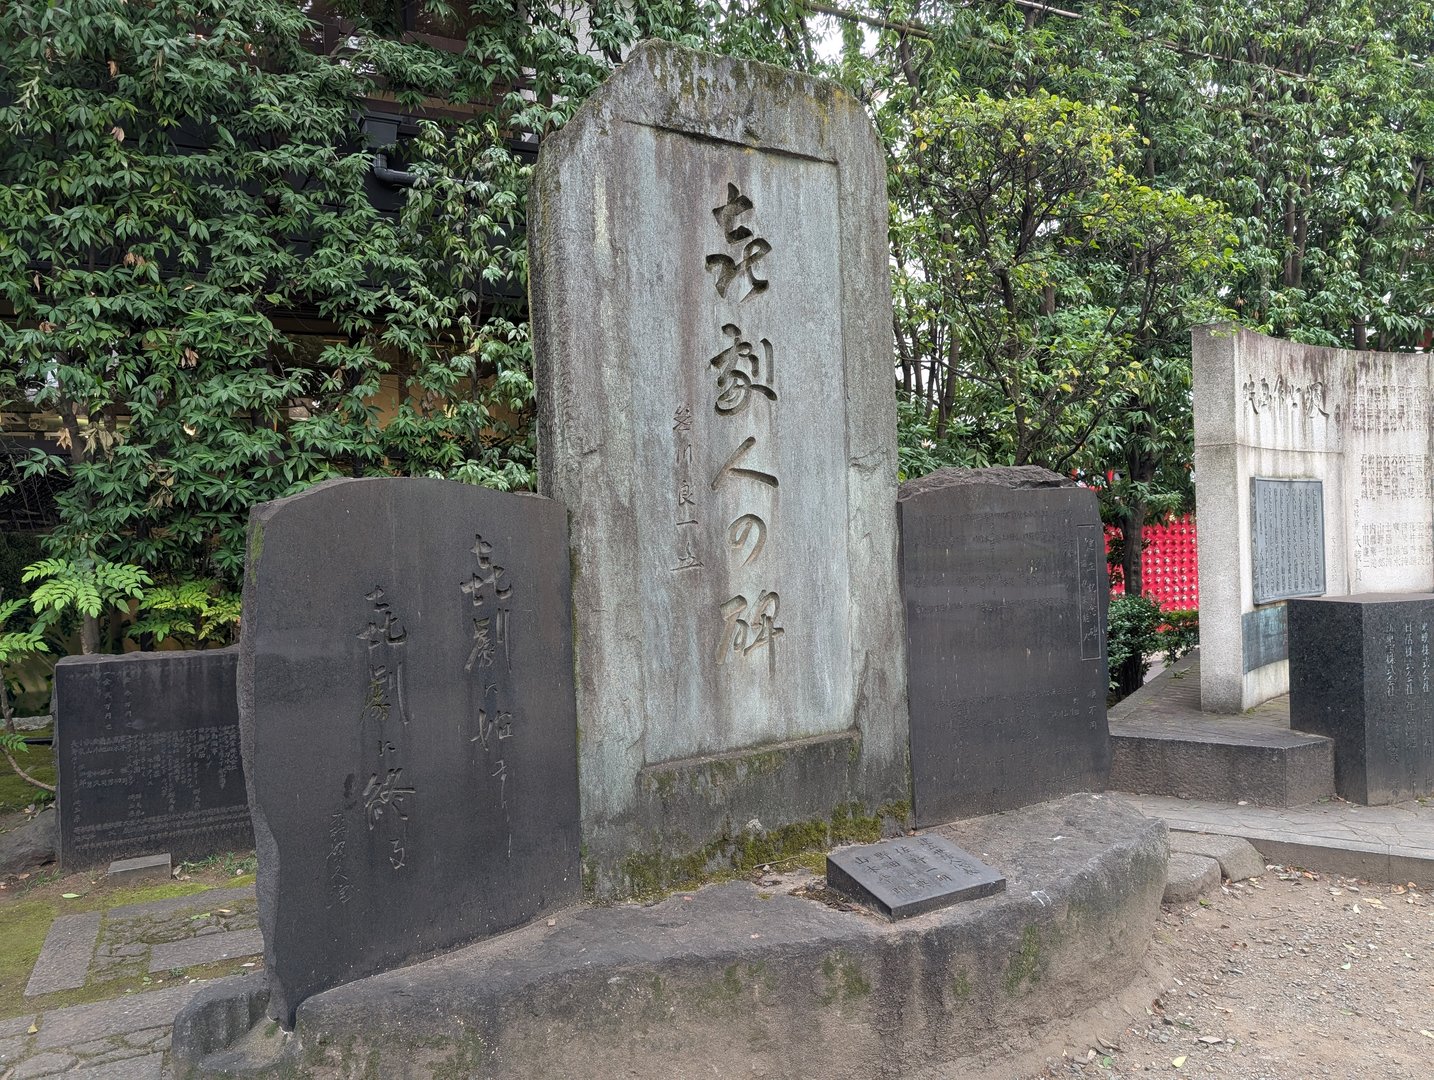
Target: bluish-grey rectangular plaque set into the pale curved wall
1288 539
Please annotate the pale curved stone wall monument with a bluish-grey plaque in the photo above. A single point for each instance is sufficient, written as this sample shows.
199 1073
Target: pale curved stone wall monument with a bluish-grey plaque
1313 478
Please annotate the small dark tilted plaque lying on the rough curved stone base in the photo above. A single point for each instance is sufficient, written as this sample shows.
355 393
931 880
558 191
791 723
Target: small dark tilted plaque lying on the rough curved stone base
910 876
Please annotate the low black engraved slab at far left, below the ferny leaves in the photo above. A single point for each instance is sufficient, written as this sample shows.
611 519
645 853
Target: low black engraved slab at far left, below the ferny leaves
148 754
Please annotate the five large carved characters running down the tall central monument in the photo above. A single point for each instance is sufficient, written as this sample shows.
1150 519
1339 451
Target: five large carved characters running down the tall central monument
745 371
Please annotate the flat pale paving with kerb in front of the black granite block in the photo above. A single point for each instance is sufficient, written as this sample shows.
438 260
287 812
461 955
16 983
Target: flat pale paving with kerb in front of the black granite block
1380 843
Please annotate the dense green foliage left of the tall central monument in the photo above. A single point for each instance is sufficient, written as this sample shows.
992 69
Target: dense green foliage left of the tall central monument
181 180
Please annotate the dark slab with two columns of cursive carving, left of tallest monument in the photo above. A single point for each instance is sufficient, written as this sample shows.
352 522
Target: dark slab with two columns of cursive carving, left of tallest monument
409 728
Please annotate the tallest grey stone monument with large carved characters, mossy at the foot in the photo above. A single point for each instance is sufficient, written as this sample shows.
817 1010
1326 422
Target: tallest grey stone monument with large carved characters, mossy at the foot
712 335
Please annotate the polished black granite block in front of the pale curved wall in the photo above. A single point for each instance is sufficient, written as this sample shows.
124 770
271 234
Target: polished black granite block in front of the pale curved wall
1360 675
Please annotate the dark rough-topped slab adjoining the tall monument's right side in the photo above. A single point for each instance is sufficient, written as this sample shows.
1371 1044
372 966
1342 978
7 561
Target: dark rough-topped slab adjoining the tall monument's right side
1006 592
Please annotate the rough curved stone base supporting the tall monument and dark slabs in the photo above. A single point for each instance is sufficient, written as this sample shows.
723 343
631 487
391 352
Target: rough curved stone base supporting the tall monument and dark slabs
733 980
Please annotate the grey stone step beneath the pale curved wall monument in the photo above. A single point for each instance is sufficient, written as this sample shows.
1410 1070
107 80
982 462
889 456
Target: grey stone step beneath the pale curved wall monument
1164 745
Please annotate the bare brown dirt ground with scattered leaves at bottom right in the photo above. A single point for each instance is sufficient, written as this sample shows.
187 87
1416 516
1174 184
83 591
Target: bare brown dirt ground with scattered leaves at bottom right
1288 977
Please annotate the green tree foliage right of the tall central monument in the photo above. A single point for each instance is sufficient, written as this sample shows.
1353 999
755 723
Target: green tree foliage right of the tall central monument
1293 140
